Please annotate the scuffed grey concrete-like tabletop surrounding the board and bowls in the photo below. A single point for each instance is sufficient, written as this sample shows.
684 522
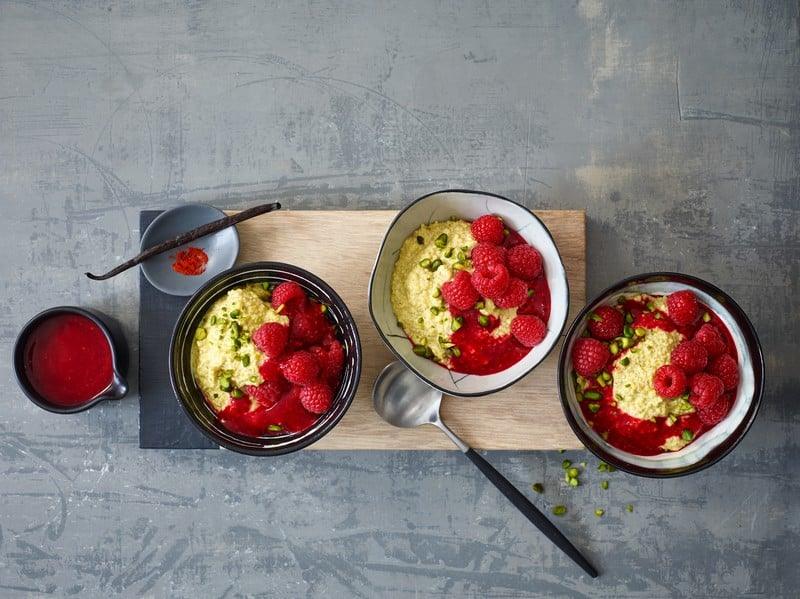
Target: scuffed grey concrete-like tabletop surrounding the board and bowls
675 124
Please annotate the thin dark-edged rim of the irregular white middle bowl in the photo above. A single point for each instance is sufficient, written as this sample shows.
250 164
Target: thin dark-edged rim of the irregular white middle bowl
402 359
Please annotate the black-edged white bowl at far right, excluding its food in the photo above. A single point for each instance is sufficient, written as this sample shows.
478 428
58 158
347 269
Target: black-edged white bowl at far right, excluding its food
712 445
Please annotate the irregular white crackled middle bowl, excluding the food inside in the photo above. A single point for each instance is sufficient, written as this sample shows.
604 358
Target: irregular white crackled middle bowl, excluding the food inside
467 205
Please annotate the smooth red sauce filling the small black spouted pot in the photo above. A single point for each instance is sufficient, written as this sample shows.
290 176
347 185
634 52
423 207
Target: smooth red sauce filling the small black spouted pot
68 360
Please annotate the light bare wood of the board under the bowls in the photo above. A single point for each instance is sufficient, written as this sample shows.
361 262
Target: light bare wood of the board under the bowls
340 247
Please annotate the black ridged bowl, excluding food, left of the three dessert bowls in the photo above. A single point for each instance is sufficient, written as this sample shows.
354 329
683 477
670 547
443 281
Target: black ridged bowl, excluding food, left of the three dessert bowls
188 393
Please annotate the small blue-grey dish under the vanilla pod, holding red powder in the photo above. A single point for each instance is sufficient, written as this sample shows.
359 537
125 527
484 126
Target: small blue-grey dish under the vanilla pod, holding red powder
222 248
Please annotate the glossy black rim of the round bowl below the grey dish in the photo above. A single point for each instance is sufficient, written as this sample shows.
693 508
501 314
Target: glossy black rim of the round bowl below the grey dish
316 434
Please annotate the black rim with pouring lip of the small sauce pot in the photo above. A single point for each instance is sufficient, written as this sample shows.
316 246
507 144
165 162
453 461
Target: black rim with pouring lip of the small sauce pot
19 367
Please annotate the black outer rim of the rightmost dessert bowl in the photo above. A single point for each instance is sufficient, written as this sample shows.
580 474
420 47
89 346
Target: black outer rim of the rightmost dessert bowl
727 445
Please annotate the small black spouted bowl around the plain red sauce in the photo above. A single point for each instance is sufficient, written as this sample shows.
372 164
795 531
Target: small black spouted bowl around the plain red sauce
118 387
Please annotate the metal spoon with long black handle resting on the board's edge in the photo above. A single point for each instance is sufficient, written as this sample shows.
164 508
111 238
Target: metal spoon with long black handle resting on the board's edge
403 400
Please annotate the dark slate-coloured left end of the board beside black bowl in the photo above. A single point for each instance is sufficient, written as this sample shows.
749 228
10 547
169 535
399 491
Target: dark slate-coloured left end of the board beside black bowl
162 422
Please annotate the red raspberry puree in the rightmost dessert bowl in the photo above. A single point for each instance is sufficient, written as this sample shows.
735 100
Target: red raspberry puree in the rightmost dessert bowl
643 437
